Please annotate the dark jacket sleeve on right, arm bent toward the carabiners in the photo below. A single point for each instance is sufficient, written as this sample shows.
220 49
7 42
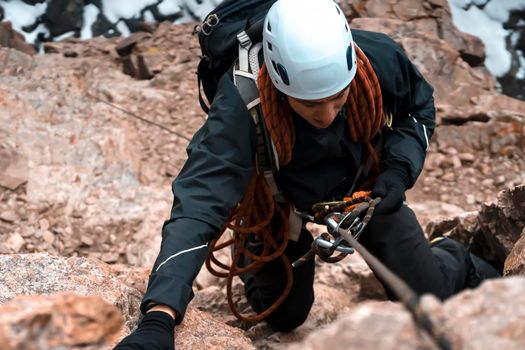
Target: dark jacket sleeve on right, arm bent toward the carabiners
409 99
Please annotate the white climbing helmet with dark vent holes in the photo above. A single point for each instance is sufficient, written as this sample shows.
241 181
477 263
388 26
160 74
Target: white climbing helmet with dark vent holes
308 48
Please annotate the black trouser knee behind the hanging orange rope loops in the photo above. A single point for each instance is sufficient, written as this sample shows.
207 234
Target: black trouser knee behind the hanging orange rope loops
265 286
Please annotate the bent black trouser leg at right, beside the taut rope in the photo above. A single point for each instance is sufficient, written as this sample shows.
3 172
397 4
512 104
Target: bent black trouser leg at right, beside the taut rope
398 241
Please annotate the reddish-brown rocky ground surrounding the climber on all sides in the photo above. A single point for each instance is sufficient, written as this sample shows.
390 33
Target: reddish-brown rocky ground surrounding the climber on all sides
93 132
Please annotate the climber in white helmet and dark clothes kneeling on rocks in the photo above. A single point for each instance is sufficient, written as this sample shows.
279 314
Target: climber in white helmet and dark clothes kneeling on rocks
332 100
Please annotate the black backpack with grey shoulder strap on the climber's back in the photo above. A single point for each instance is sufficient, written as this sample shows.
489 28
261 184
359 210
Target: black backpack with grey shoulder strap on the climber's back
231 32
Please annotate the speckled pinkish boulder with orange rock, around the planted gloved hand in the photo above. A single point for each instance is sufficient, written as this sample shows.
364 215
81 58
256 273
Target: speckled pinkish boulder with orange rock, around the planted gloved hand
75 302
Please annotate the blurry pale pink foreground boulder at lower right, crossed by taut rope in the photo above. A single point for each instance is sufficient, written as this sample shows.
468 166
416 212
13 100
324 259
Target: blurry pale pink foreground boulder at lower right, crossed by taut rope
490 317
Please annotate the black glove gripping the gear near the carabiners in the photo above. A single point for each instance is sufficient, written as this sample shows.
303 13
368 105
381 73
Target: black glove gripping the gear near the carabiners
390 186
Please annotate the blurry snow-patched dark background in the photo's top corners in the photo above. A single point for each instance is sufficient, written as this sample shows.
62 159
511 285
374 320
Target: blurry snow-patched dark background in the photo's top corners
499 25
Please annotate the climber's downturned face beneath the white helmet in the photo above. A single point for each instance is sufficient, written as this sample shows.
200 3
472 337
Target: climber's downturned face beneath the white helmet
320 113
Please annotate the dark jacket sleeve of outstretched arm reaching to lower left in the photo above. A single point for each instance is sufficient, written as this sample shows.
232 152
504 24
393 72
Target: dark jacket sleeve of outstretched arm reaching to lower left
211 182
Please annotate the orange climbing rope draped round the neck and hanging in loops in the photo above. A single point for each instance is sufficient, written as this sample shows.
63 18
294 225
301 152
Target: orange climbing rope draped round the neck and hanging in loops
254 213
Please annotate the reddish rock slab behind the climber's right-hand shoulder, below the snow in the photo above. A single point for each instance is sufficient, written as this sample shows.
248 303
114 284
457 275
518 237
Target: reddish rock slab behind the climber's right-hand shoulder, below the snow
462 93
